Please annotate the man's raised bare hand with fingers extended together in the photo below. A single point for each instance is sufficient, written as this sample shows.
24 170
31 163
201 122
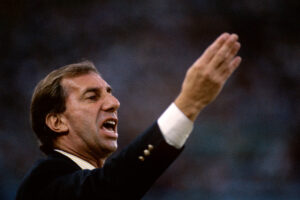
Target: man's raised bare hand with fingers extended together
207 76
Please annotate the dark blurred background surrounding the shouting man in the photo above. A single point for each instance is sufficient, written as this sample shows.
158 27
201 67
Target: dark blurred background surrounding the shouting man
245 145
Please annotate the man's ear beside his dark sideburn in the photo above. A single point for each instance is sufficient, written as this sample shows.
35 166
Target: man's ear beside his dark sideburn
56 123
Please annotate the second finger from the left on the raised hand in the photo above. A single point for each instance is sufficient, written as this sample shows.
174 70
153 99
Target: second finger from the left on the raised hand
223 52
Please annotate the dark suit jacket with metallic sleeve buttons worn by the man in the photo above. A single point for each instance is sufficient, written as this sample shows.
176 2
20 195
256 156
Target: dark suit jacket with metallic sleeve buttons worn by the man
123 177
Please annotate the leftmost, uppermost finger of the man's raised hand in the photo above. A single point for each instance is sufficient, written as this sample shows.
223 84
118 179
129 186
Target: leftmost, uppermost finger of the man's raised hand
213 49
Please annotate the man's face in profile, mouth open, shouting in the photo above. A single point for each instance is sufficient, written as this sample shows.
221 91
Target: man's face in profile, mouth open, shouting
91 115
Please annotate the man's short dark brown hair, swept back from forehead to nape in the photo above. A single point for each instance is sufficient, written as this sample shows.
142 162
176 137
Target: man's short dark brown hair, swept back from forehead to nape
49 97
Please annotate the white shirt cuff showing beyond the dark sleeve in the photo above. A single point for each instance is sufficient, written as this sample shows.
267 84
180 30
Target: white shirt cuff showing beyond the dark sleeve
175 126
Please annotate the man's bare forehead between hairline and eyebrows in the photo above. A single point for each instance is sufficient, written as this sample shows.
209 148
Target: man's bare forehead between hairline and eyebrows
82 82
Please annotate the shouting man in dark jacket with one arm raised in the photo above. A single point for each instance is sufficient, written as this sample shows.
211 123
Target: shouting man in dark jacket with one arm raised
74 115
